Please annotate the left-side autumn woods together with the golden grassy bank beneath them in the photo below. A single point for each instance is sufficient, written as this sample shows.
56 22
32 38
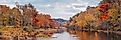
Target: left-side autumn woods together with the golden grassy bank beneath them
25 20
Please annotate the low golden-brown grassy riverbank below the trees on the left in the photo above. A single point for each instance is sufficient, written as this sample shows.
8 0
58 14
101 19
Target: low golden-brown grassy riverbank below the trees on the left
9 32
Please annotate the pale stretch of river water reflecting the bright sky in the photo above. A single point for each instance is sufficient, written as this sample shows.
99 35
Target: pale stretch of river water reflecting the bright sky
60 36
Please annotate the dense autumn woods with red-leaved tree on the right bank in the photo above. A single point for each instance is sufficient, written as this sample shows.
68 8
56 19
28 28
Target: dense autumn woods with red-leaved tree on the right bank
105 16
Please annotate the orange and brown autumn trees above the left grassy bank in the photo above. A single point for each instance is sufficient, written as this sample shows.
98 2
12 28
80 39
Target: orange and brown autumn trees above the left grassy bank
25 15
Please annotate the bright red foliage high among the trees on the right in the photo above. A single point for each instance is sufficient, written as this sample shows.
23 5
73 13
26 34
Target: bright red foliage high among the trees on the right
103 8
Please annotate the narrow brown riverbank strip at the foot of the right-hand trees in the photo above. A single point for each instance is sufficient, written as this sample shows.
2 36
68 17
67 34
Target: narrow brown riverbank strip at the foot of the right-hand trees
92 30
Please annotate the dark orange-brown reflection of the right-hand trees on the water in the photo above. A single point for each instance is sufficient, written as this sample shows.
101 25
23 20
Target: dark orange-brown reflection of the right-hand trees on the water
98 36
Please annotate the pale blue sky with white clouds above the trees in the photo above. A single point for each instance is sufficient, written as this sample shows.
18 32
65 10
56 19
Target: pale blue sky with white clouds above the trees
56 8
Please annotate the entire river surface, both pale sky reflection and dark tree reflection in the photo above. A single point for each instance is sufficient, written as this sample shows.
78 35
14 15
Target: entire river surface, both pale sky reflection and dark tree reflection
82 36
